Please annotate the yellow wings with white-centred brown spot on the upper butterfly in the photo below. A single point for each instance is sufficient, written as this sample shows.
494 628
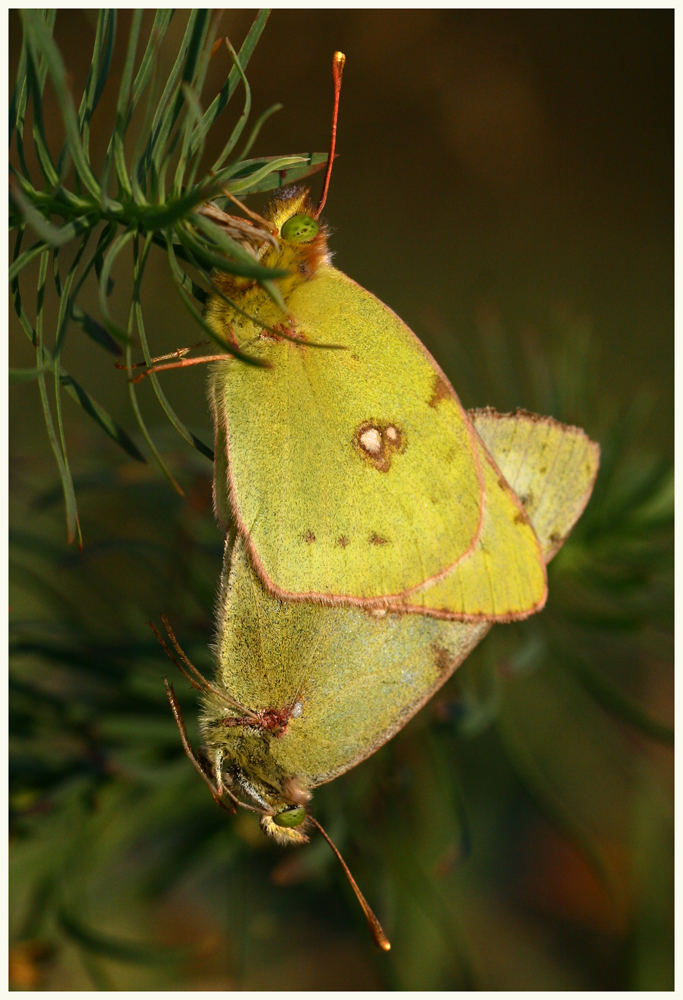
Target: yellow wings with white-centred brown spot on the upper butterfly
355 475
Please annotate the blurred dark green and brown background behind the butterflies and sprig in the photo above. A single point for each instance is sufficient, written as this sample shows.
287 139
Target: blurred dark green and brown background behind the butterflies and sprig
504 182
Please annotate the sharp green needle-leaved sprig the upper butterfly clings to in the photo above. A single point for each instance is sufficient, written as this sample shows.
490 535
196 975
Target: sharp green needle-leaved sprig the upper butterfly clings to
147 191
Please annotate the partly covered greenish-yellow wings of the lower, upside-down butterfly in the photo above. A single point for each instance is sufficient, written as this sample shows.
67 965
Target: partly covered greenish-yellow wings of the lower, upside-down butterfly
347 679
